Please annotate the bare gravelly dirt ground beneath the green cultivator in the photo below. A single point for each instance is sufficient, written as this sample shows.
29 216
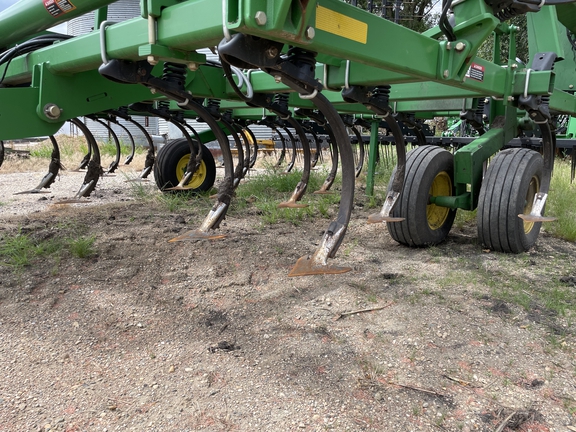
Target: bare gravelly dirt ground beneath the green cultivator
148 335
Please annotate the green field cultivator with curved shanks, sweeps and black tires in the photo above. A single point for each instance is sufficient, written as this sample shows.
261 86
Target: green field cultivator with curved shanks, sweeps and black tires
304 69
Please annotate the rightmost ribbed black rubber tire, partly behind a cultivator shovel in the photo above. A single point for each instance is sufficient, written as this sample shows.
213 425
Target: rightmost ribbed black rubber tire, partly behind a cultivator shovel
511 181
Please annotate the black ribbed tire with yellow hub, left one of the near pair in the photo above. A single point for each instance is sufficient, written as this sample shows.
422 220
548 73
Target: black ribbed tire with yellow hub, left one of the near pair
424 224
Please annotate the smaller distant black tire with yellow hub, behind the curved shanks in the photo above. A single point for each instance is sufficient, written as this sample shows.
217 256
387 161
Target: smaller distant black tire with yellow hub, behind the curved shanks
176 152
